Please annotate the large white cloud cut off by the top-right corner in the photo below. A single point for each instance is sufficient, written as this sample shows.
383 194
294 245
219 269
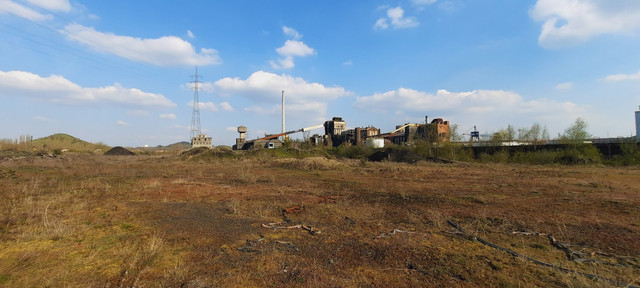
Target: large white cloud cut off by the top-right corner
570 22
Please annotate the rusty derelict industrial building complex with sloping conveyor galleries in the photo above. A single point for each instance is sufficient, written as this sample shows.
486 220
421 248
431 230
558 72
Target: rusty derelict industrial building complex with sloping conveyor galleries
336 134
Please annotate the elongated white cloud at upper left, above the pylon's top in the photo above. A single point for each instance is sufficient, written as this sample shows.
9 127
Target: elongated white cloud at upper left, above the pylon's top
163 51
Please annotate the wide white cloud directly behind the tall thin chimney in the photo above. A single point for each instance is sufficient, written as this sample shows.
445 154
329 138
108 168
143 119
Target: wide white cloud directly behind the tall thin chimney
305 99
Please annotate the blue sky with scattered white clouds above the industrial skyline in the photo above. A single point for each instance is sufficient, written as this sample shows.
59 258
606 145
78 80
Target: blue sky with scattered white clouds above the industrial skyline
119 72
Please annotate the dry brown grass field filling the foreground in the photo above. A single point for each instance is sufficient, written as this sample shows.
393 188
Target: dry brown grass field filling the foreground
83 220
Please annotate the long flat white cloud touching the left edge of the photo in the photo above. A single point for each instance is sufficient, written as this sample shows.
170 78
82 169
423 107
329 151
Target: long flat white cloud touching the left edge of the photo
57 89
